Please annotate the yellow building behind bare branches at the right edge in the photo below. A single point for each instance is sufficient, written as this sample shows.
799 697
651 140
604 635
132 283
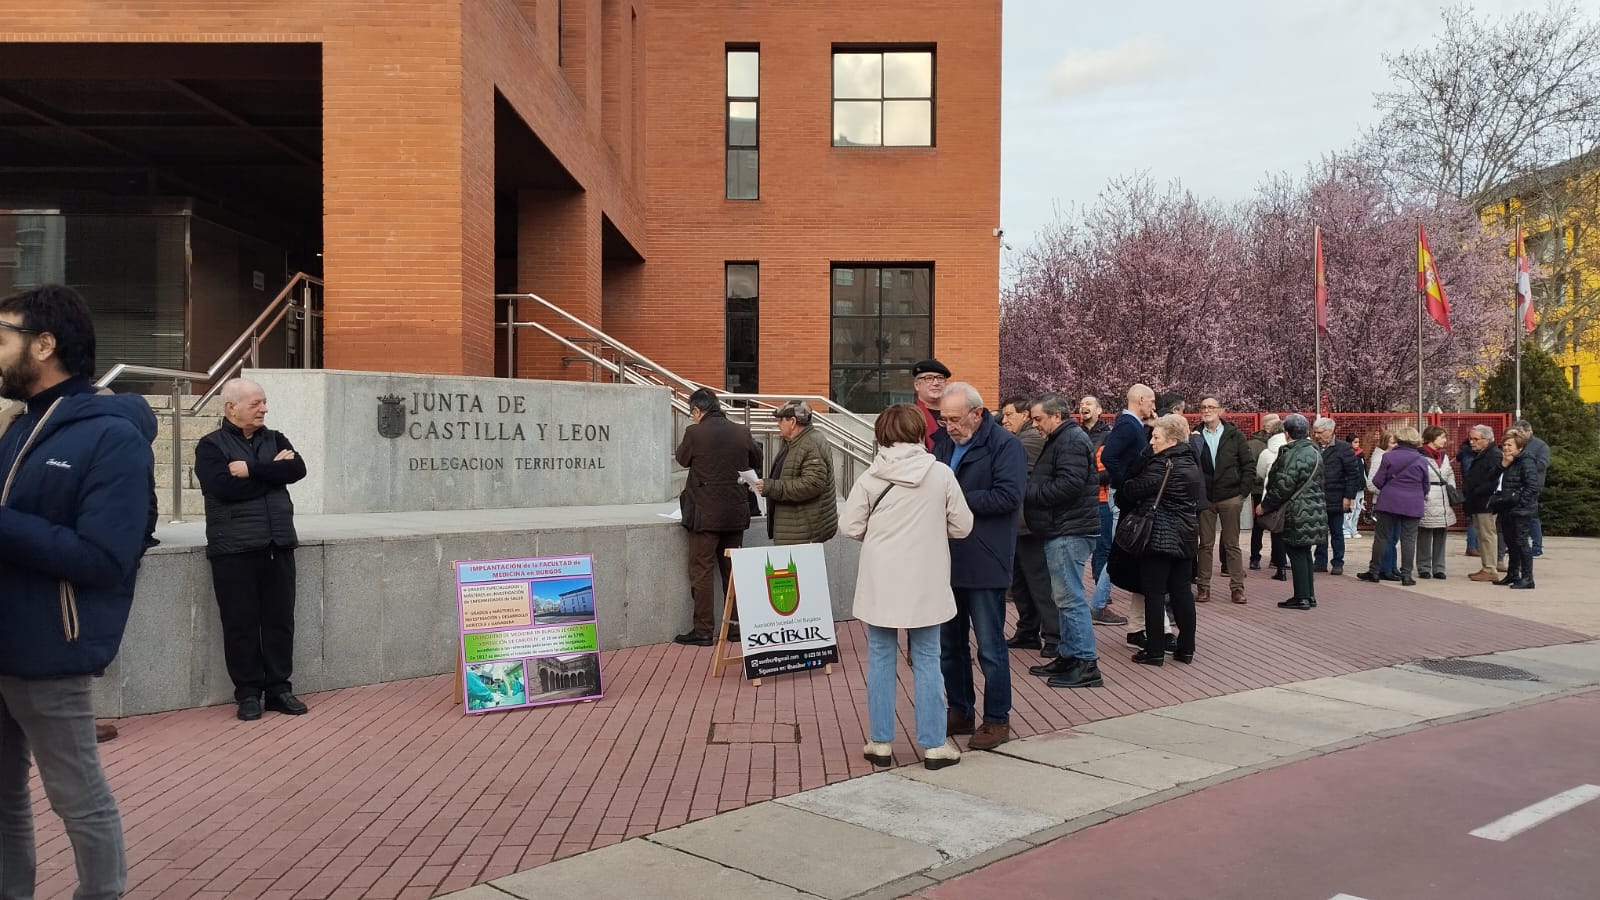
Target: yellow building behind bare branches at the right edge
1561 215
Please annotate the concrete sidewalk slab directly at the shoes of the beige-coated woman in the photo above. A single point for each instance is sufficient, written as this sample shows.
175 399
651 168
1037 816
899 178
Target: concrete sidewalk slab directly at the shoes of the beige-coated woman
1057 794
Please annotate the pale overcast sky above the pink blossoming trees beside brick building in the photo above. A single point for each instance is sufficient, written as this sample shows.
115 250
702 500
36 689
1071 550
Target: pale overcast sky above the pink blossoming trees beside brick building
1215 95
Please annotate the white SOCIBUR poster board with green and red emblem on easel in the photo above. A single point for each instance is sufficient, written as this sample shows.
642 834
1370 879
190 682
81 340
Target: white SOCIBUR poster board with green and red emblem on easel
786 616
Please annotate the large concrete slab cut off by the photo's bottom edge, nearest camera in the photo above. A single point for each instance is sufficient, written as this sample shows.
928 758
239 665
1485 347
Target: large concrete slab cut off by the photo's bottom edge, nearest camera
623 870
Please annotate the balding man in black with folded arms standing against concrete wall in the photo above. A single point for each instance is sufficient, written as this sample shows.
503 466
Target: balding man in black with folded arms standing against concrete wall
244 472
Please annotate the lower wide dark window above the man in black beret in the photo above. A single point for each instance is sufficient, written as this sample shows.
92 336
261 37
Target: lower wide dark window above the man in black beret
882 321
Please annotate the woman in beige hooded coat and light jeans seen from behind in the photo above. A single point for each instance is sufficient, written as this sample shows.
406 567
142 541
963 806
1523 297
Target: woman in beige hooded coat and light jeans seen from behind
905 510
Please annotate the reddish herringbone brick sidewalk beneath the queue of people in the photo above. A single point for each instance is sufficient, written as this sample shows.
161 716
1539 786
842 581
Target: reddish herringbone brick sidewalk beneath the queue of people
391 792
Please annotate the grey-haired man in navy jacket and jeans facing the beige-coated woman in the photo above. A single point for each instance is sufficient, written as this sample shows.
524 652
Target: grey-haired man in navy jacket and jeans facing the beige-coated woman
993 470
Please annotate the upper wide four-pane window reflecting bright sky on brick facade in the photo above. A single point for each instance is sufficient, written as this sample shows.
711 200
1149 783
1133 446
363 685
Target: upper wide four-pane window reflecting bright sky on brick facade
884 98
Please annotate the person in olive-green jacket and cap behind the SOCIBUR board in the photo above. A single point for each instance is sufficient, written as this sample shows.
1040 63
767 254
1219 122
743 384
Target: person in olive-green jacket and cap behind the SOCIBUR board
802 504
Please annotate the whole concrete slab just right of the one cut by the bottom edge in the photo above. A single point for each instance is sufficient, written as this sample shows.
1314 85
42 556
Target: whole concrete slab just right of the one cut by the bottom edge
786 845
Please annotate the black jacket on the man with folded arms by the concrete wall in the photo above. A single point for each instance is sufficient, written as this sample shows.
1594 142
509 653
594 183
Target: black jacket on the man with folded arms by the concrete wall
252 513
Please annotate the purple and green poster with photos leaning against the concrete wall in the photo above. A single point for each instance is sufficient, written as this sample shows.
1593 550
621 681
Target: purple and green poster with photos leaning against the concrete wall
527 632
